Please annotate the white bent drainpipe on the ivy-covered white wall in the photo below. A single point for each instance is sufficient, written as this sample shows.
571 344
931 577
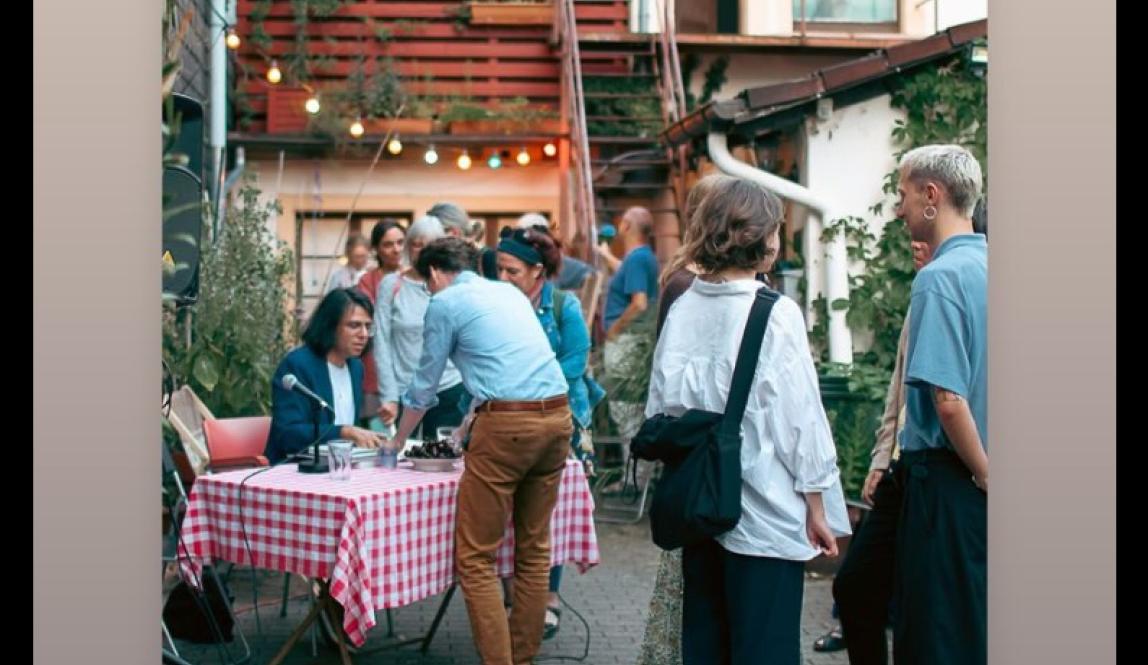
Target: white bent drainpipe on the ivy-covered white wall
837 283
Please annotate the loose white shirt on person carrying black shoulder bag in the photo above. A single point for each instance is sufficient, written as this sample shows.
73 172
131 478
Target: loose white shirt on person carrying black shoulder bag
787 446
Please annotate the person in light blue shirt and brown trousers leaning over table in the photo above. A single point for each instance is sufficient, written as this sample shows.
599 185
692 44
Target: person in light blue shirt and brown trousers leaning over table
518 443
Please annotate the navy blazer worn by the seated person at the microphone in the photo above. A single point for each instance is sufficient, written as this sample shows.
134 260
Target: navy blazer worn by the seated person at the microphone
293 415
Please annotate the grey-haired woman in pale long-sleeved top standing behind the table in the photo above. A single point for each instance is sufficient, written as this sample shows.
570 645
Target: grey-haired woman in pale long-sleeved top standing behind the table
401 305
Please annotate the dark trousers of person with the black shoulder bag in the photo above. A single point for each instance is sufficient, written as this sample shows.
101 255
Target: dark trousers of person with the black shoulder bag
740 610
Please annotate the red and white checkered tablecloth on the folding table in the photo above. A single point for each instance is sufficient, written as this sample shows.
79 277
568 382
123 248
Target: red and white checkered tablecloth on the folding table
385 538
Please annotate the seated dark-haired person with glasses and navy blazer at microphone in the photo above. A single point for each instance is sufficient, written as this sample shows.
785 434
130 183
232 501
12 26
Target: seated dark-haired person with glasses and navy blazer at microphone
337 337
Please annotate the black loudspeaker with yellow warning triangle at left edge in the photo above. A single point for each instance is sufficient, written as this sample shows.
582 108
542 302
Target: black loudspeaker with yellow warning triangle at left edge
183 233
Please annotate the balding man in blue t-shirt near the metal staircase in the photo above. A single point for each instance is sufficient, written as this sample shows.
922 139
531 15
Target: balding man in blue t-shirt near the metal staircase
632 295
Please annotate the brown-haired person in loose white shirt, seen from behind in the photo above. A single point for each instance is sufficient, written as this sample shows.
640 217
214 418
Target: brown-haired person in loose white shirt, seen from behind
742 597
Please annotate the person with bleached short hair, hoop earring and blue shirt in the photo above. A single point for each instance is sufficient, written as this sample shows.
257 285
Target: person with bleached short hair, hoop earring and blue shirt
941 551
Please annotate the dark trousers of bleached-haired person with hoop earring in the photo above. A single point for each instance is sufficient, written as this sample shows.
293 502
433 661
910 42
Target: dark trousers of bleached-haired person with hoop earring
942 569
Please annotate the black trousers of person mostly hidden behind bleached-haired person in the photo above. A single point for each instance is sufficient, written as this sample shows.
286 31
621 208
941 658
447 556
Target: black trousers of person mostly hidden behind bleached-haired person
864 586
